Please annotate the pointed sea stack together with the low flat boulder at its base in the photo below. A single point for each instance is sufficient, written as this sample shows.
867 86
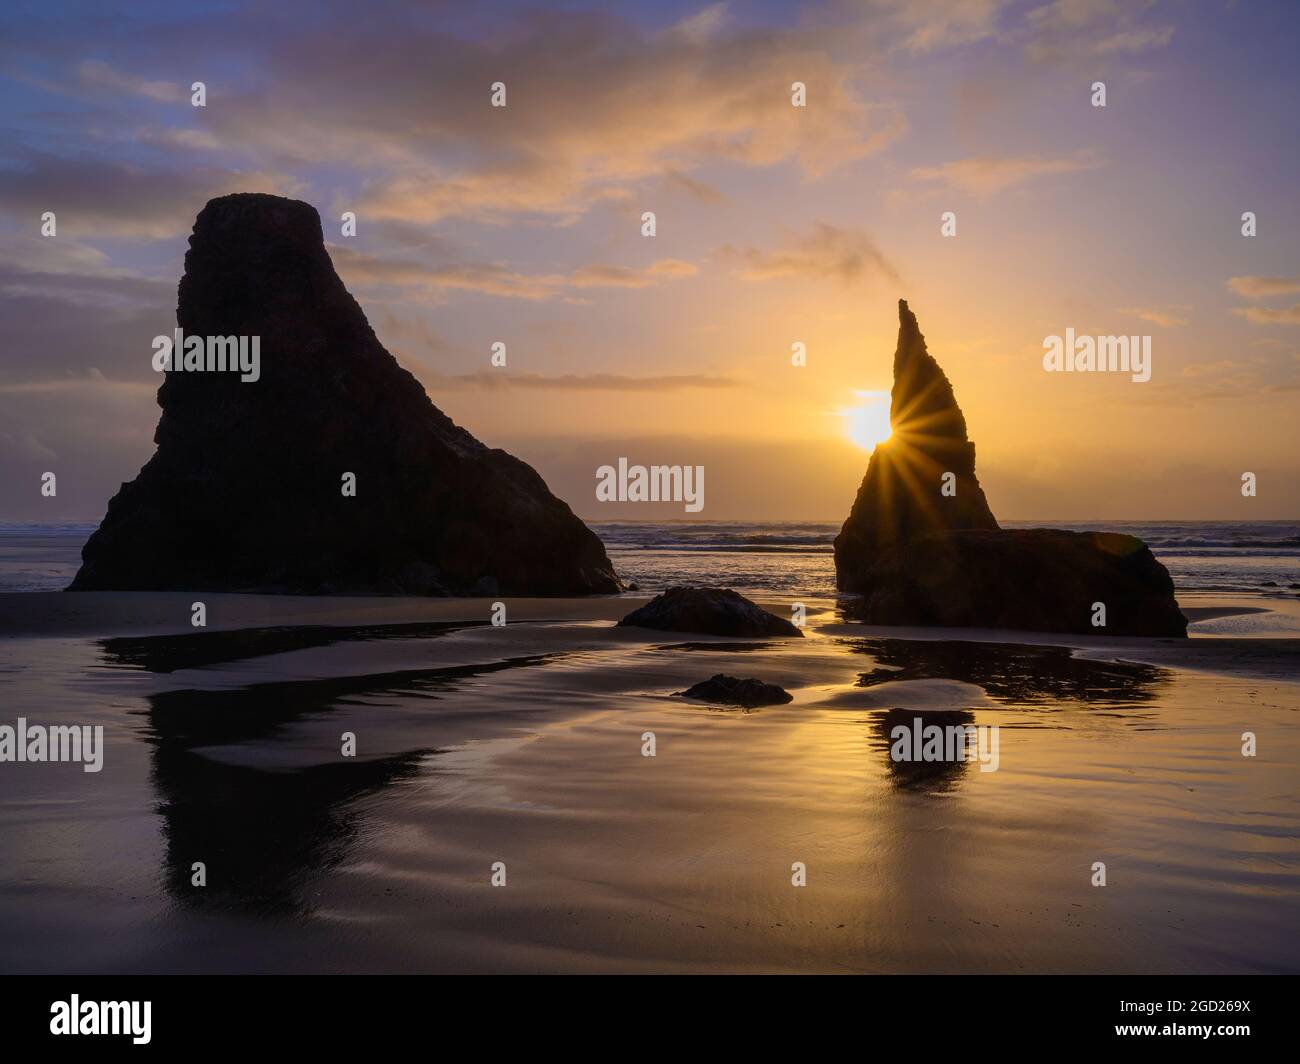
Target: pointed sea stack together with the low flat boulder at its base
924 548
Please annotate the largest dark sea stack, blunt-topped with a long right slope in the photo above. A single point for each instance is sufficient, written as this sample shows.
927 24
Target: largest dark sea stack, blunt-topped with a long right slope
245 491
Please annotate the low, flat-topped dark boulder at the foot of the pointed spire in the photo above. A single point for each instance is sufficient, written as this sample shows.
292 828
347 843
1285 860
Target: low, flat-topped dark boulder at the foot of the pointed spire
1037 579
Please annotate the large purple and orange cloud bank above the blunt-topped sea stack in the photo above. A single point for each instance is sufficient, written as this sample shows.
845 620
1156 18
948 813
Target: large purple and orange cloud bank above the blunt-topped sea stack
599 106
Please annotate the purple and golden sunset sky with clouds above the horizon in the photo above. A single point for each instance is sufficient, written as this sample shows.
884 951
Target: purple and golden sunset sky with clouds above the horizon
774 226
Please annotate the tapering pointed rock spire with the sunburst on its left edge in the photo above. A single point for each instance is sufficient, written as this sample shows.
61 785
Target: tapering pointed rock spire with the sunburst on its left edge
902 496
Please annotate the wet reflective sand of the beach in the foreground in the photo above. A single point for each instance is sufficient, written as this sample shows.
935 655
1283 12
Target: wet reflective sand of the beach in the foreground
525 746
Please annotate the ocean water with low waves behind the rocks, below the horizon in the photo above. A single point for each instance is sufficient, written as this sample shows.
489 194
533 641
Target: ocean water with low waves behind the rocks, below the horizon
783 557
